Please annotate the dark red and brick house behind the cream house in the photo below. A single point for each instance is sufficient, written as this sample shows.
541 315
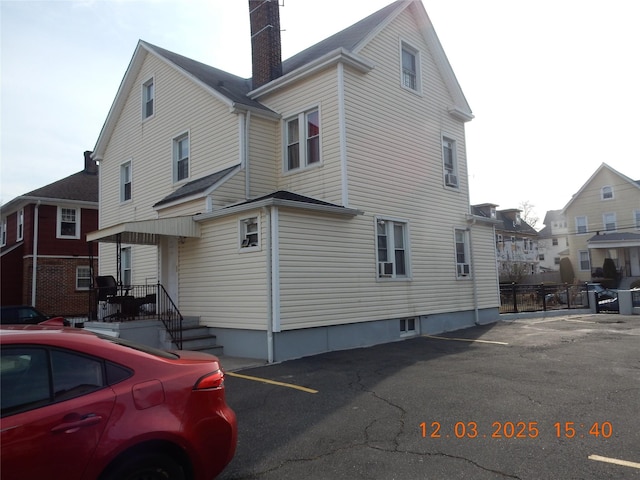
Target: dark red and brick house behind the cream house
45 260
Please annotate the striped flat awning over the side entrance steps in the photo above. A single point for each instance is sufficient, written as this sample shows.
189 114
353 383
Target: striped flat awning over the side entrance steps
146 232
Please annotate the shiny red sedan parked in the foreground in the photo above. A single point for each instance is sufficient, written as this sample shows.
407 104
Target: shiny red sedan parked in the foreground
77 405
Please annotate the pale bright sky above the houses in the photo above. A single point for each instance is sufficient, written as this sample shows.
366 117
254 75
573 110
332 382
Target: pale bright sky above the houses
554 84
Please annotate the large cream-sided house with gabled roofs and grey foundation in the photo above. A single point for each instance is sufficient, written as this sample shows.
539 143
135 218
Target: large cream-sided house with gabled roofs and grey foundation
322 204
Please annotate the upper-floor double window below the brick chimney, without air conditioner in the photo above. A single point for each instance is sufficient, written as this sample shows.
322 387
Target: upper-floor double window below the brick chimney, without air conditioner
303 140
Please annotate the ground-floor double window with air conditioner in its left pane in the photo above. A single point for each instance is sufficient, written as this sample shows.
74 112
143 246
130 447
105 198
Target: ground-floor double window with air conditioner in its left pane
392 249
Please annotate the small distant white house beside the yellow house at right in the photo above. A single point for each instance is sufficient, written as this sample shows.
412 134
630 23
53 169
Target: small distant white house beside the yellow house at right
553 241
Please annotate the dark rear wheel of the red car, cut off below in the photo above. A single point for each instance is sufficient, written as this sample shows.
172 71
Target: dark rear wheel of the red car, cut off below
150 466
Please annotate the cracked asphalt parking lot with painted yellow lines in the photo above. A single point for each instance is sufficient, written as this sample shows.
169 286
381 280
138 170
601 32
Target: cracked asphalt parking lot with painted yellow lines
541 398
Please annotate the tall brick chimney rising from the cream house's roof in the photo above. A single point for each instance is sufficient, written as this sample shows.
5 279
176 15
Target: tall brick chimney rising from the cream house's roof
266 54
